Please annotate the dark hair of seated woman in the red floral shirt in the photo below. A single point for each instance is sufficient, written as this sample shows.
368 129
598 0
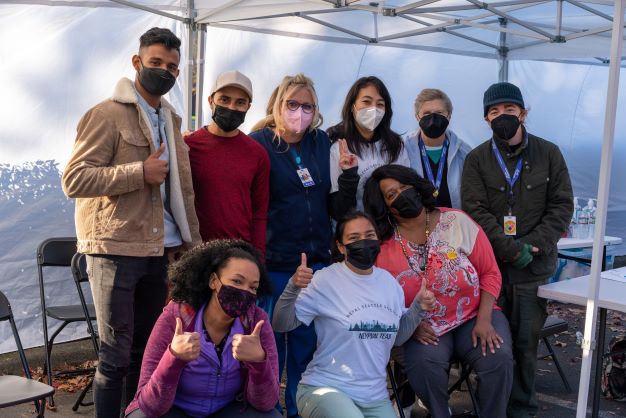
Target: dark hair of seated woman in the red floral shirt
374 202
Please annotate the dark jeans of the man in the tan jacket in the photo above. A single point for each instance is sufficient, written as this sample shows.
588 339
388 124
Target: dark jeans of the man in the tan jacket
129 294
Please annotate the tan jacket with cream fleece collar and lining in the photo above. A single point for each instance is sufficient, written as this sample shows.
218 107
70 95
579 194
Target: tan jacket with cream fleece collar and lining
116 211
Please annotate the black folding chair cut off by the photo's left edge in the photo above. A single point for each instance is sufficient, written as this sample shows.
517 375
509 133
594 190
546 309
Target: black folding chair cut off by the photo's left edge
15 390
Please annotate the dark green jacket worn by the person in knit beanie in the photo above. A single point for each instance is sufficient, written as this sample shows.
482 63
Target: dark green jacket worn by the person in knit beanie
542 203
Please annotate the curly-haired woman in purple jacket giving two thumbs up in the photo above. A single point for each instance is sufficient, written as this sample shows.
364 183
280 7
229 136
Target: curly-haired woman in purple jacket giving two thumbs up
212 352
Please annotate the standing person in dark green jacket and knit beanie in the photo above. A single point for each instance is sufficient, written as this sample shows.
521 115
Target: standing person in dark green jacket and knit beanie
517 187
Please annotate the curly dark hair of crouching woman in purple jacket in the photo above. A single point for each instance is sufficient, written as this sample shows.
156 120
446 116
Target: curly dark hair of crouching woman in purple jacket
189 276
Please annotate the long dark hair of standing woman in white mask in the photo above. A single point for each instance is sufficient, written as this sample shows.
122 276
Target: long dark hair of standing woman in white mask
392 142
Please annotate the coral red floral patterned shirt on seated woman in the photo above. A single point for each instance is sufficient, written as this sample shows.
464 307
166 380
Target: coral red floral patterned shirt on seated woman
461 264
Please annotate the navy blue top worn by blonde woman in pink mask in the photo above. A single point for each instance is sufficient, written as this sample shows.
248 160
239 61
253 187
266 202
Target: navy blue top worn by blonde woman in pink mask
298 218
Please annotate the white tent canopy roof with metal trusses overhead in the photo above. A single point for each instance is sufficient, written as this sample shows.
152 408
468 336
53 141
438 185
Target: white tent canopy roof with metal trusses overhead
552 30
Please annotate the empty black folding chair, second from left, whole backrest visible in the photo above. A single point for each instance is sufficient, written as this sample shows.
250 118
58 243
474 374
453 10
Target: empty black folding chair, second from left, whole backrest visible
58 252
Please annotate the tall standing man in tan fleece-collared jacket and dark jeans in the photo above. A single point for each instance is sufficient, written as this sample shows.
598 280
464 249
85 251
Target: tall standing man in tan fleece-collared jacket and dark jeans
129 172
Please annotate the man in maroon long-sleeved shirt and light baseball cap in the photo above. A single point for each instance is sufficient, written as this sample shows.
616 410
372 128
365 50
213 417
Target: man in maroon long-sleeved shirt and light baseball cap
230 170
